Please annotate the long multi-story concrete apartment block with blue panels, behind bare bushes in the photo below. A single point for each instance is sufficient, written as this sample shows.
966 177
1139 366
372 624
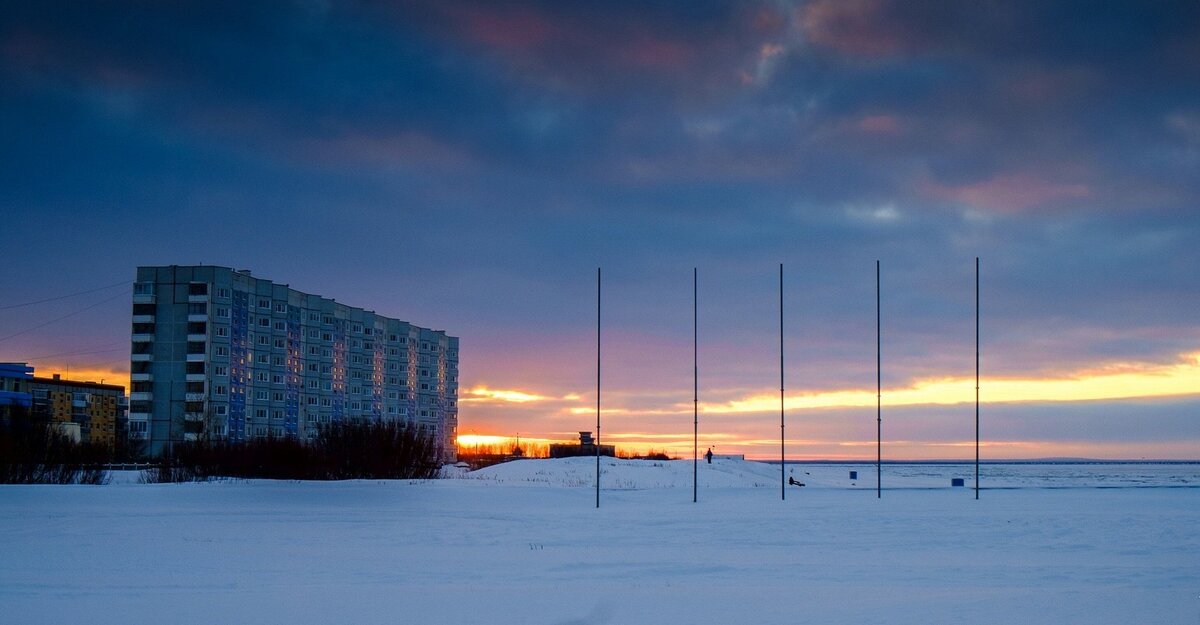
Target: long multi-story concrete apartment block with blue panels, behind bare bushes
221 354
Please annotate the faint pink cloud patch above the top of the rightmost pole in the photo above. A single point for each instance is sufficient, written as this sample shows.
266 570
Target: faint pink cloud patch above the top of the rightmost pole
1010 193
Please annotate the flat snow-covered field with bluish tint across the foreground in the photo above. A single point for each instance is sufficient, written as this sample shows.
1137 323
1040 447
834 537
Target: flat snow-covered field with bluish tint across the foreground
523 543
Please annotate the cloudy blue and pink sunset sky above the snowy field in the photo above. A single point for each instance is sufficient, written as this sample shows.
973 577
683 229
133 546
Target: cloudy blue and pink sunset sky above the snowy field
469 166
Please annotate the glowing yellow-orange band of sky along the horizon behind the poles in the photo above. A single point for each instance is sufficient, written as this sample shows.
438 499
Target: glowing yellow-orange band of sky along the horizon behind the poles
1130 381
